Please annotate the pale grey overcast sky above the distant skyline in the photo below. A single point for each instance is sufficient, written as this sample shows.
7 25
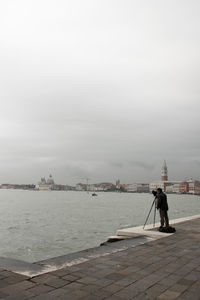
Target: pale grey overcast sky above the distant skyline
104 89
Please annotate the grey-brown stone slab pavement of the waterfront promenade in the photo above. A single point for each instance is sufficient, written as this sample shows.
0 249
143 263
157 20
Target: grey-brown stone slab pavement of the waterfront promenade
168 268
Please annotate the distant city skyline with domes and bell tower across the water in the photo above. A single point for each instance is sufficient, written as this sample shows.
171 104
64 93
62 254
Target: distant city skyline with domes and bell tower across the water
169 186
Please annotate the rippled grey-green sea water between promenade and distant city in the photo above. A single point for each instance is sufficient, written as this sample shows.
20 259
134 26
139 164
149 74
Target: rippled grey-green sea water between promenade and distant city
36 225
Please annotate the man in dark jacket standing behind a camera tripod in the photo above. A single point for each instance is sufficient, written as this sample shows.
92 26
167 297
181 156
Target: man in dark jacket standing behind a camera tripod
162 205
